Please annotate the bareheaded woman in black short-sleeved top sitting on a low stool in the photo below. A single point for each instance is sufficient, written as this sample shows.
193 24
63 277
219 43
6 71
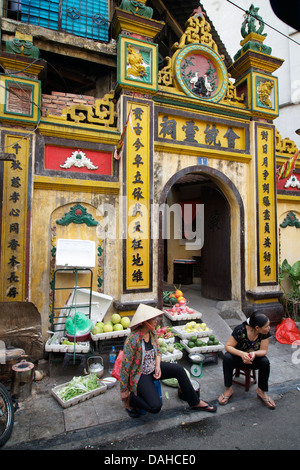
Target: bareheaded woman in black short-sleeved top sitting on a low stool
247 347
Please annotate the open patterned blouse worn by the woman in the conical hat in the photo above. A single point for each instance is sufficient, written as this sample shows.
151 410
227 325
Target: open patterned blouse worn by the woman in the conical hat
133 357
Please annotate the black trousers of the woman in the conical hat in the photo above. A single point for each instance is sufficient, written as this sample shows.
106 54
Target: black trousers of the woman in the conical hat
147 397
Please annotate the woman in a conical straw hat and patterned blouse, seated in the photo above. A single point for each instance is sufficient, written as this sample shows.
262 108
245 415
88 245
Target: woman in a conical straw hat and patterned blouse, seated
141 366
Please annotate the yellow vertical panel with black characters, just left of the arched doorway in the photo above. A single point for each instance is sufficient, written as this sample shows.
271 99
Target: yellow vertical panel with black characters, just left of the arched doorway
138 177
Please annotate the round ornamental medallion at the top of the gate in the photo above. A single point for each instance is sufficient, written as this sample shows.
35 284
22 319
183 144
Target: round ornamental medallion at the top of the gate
201 72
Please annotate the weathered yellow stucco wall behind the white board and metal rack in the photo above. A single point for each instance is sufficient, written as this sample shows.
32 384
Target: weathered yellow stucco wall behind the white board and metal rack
49 206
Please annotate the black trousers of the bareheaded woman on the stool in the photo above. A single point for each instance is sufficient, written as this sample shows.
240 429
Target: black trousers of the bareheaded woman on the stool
230 362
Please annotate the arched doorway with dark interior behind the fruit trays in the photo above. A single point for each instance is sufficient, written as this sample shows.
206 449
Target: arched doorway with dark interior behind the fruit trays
222 263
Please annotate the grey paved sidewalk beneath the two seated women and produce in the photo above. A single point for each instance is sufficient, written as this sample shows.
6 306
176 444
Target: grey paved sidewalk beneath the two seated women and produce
41 423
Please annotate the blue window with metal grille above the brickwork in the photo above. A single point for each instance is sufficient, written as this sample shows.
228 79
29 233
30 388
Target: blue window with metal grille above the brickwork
85 18
